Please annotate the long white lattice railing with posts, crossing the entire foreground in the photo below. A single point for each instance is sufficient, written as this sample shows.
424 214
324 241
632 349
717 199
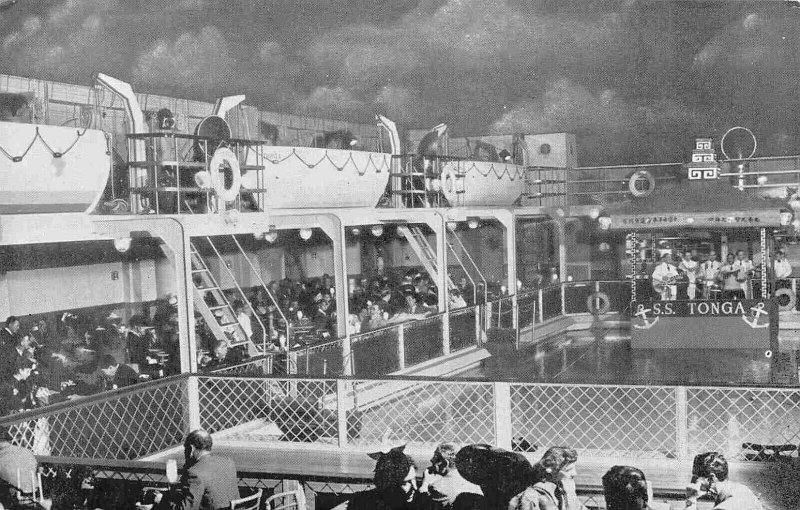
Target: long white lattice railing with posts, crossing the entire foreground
598 420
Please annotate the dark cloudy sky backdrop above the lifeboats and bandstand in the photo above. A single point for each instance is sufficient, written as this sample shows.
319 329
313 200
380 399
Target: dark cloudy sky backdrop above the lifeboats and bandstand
636 80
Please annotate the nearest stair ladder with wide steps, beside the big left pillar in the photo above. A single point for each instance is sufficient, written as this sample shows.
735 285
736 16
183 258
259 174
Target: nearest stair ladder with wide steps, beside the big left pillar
213 305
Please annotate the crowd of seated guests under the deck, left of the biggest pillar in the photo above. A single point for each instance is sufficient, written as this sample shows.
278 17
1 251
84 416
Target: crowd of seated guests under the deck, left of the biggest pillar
51 358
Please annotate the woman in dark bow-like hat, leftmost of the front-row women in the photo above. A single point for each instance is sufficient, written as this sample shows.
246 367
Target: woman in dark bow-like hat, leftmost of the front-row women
395 485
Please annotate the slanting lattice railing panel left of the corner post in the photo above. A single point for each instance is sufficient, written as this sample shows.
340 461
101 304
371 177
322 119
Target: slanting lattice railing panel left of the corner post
130 425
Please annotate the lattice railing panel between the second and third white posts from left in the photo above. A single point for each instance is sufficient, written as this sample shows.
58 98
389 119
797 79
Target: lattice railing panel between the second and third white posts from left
422 412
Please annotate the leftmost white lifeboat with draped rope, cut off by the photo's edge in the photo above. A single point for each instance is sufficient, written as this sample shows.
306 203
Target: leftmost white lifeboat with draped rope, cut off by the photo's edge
51 169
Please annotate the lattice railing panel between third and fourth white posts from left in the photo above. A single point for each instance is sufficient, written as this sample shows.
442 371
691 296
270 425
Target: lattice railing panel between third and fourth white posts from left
629 421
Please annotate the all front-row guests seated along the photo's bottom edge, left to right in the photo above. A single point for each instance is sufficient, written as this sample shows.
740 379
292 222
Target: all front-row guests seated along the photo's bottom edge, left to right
475 477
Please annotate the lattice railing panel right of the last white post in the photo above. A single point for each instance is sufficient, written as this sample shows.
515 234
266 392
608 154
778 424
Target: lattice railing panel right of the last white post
722 419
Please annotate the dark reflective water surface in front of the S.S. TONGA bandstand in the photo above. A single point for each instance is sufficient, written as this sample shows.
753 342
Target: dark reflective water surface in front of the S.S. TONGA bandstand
606 356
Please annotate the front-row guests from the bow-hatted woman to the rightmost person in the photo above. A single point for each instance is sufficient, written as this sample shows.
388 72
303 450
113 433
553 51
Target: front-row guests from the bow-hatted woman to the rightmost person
481 477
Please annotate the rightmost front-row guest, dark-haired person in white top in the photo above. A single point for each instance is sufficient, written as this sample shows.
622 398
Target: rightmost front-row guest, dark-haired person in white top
710 477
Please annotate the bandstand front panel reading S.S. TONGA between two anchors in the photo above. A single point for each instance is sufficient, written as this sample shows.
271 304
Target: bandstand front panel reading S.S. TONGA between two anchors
748 324
